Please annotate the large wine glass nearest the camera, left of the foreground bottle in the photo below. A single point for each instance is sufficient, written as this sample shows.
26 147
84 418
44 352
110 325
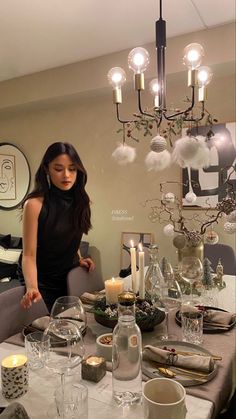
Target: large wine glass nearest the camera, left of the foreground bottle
66 347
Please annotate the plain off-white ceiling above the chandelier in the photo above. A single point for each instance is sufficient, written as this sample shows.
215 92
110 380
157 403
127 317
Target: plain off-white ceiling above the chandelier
40 34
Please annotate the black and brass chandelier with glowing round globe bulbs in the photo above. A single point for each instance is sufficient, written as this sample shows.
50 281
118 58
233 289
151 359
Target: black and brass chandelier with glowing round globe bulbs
138 61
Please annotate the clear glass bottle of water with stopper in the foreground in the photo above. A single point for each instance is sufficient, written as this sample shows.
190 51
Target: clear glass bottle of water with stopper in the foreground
126 353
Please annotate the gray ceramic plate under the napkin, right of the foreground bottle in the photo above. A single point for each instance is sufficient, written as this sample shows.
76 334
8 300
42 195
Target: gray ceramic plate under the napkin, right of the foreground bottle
149 368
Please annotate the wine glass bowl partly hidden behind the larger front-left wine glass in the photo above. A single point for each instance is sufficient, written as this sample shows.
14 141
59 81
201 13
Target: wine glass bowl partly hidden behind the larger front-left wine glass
71 308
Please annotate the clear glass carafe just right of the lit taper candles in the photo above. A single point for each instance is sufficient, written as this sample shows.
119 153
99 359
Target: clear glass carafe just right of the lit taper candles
153 276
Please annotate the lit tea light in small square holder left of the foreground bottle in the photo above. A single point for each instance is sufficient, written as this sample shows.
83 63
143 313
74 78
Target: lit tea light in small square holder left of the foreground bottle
93 368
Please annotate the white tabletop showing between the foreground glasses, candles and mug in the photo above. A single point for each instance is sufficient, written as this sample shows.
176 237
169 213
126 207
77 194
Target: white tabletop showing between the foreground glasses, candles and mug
38 400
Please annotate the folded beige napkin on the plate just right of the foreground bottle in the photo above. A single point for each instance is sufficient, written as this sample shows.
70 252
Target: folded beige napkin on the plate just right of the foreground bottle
161 356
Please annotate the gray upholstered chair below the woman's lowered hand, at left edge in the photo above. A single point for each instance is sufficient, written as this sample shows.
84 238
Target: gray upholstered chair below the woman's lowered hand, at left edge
13 316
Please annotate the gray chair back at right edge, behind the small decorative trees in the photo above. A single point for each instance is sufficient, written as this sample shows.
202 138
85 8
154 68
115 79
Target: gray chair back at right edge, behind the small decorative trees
223 252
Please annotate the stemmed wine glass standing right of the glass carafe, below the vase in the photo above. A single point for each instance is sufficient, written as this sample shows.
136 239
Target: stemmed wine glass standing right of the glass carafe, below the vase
167 296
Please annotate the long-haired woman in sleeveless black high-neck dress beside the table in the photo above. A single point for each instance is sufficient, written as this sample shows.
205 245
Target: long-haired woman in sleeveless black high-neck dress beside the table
55 216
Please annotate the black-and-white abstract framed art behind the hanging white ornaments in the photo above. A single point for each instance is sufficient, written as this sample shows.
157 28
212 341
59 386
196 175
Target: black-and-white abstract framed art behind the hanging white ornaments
209 184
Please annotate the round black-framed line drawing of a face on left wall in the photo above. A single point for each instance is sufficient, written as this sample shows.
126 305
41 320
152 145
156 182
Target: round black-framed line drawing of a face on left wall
14 176
